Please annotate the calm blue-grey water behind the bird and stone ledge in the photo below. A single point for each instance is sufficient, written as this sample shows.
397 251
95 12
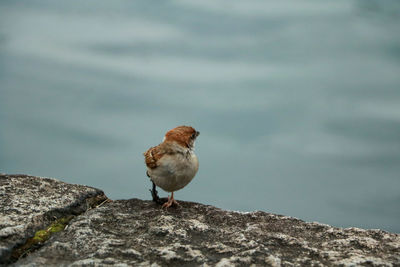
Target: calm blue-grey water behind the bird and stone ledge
297 102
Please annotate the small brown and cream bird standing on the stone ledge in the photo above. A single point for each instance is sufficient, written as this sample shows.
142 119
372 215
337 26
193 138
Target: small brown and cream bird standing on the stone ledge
172 164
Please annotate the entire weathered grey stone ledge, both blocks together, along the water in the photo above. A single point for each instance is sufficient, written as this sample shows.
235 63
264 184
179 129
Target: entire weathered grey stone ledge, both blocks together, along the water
139 233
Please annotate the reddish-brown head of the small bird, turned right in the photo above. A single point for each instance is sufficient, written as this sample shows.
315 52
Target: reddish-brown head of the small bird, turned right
183 135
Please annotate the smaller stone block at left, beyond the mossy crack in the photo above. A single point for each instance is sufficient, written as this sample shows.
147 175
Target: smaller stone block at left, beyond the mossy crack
30 203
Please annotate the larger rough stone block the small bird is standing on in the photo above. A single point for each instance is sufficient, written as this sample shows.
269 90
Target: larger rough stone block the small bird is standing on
139 233
